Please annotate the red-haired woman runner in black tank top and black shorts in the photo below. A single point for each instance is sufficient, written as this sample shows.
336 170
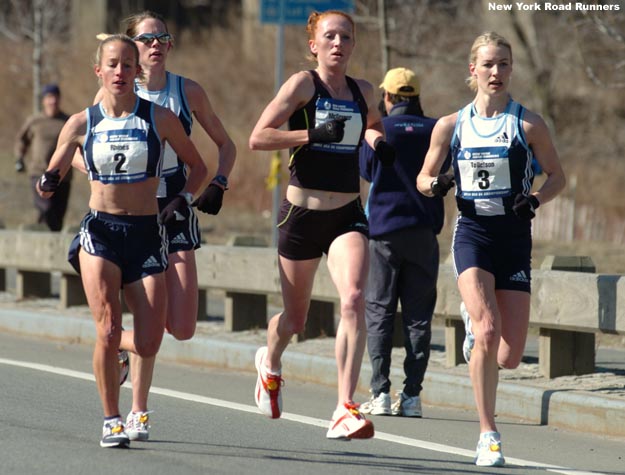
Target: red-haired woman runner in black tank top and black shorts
328 114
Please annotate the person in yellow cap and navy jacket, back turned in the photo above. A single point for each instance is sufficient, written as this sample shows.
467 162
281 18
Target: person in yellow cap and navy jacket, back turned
403 247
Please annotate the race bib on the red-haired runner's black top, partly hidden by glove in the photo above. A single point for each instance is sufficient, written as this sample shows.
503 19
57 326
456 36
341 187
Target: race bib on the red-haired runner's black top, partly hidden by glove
327 109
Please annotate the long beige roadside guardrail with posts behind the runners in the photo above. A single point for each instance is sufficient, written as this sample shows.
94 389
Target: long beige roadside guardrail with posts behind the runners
569 306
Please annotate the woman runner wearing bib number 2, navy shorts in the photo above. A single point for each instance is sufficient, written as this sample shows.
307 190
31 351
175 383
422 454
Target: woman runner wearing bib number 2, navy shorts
122 241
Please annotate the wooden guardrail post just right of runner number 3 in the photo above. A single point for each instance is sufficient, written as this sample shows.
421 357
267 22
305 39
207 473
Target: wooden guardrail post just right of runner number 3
563 352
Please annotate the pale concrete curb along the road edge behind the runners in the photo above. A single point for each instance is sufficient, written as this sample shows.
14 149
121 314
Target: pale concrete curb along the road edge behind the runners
580 411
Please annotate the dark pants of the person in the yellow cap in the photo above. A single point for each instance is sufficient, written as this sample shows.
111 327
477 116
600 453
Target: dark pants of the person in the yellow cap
404 268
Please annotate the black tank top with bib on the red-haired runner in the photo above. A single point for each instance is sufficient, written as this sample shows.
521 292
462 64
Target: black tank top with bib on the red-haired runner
334 166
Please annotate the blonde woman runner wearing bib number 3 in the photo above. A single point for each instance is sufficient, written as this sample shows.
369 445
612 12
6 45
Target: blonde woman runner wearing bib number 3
492 142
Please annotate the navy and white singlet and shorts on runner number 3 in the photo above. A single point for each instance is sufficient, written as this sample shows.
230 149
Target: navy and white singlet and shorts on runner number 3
492 163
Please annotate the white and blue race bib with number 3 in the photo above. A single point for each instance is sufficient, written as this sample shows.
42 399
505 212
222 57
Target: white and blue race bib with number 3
484 172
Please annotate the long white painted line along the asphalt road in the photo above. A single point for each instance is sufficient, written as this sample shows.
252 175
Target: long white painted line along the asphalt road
396 439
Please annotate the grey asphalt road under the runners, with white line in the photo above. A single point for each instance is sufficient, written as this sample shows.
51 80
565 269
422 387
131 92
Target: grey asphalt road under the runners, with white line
205 421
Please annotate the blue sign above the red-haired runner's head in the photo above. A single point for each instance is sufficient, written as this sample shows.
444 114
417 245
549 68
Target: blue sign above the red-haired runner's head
296 12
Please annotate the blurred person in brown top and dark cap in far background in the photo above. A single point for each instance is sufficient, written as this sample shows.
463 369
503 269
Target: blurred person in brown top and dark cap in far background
37 138
